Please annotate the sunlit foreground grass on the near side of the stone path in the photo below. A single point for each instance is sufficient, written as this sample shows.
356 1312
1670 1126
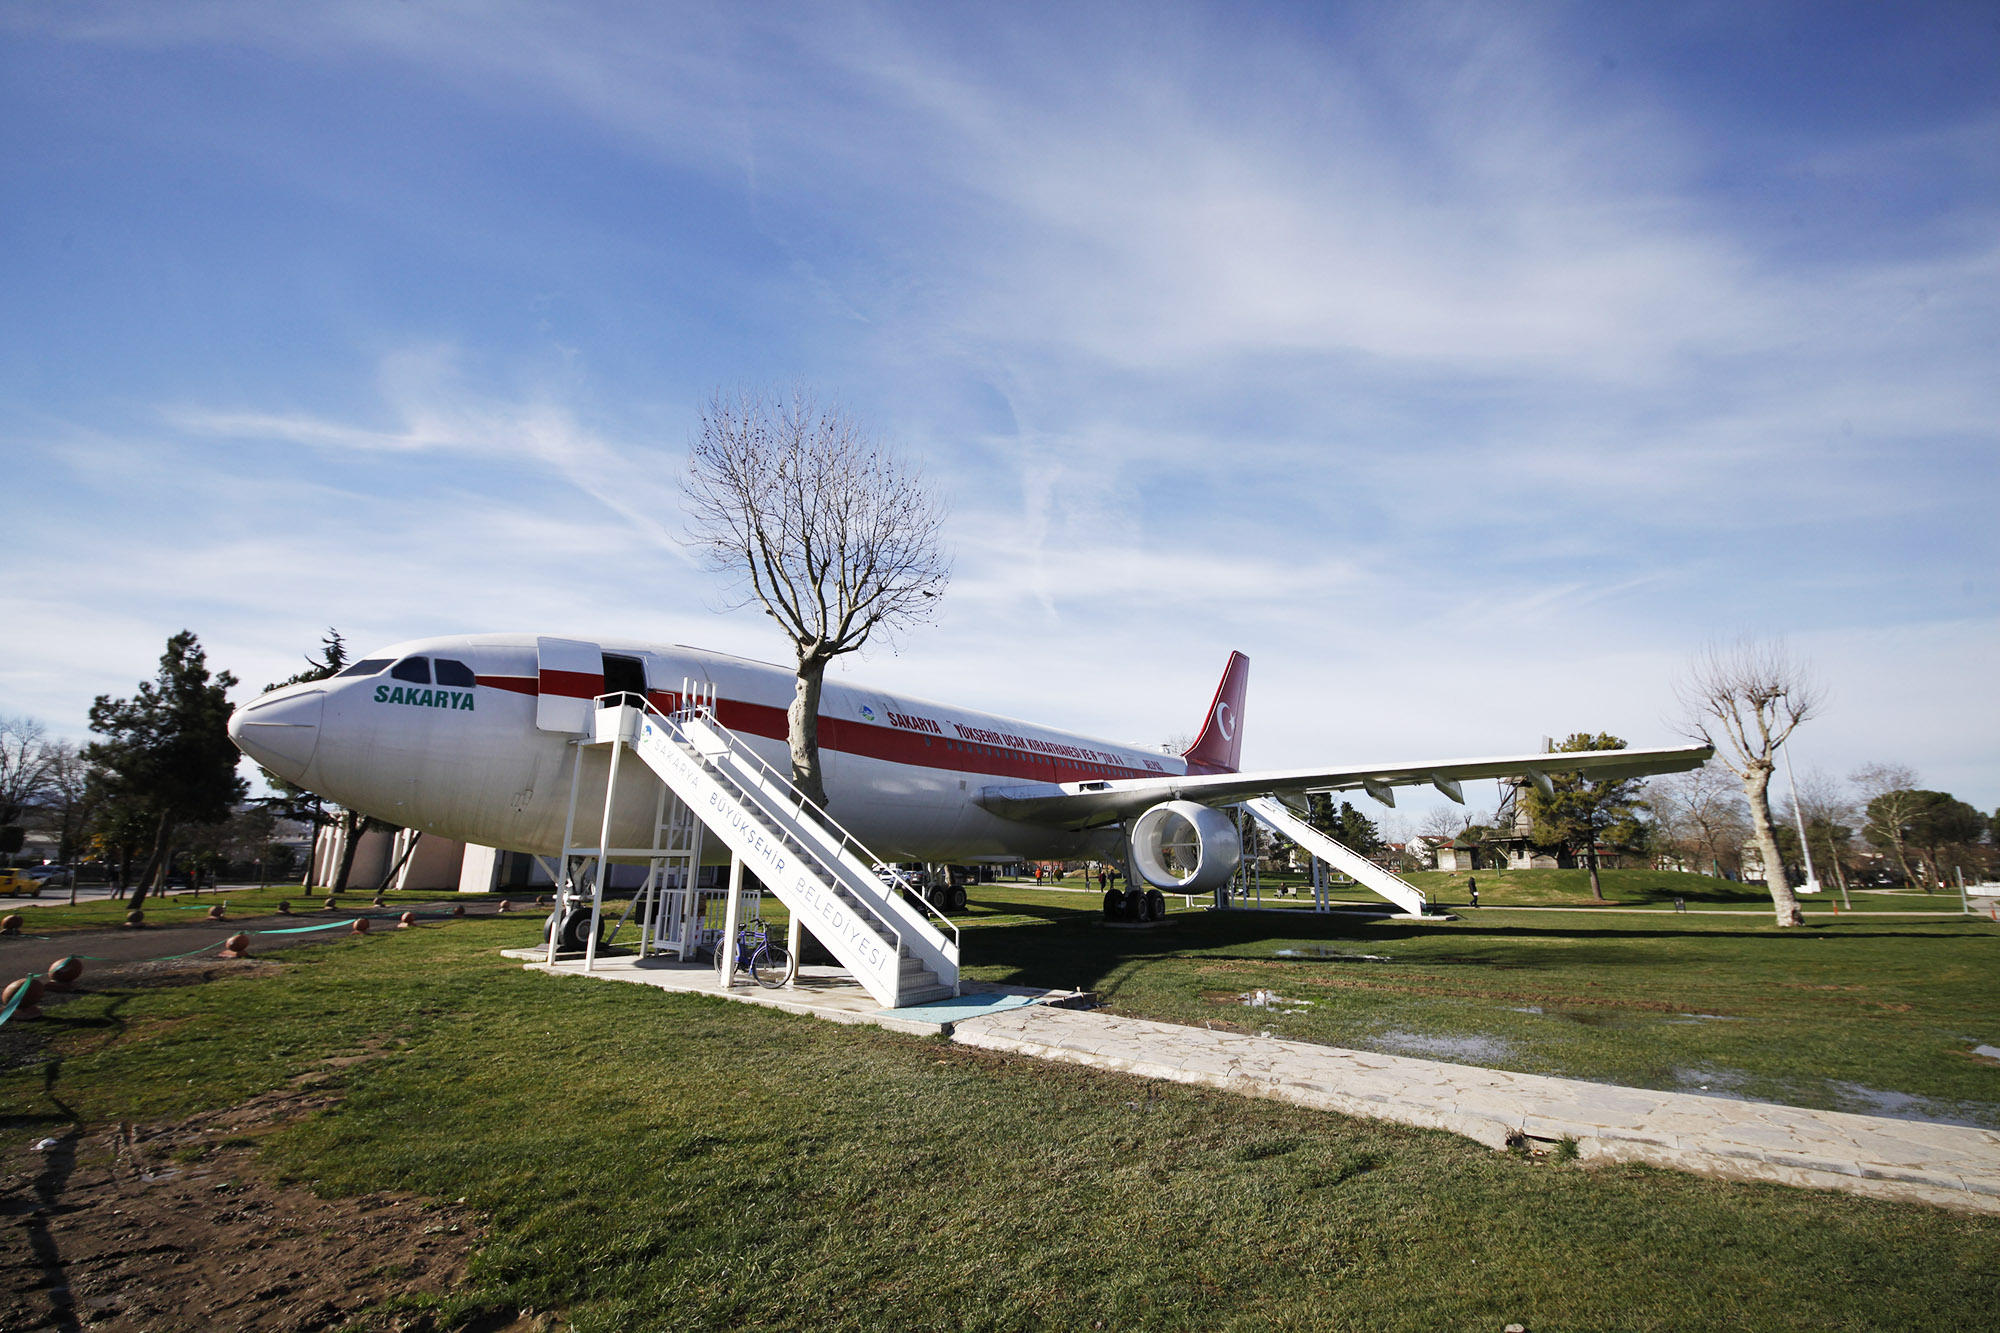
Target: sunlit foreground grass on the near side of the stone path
669 1162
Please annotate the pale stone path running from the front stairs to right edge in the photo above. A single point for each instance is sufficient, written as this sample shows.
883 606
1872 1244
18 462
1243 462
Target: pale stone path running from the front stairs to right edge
1873 1156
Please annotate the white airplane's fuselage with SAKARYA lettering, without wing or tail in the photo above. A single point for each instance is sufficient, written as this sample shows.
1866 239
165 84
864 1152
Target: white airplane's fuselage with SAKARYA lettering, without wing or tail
483 748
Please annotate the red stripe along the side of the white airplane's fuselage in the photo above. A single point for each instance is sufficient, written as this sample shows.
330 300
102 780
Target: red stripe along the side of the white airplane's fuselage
885 744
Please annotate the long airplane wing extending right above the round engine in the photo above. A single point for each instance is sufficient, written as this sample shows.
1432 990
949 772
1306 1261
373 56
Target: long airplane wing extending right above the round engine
1093 804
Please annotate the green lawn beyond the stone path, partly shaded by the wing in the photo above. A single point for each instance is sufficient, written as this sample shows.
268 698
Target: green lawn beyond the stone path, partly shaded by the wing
1849 1014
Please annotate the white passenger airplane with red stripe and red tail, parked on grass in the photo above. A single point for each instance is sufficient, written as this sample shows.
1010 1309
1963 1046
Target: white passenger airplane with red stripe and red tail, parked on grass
471 738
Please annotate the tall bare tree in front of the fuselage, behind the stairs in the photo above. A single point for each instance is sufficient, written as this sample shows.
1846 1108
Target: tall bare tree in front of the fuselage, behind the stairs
827 529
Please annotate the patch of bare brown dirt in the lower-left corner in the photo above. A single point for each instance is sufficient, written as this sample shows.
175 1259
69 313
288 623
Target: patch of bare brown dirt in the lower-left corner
155 1228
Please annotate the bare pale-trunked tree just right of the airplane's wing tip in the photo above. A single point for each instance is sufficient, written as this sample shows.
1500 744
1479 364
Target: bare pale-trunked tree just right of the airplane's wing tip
1753 696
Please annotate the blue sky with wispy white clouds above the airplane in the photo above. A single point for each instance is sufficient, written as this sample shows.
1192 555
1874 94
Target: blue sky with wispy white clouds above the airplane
1471 367
